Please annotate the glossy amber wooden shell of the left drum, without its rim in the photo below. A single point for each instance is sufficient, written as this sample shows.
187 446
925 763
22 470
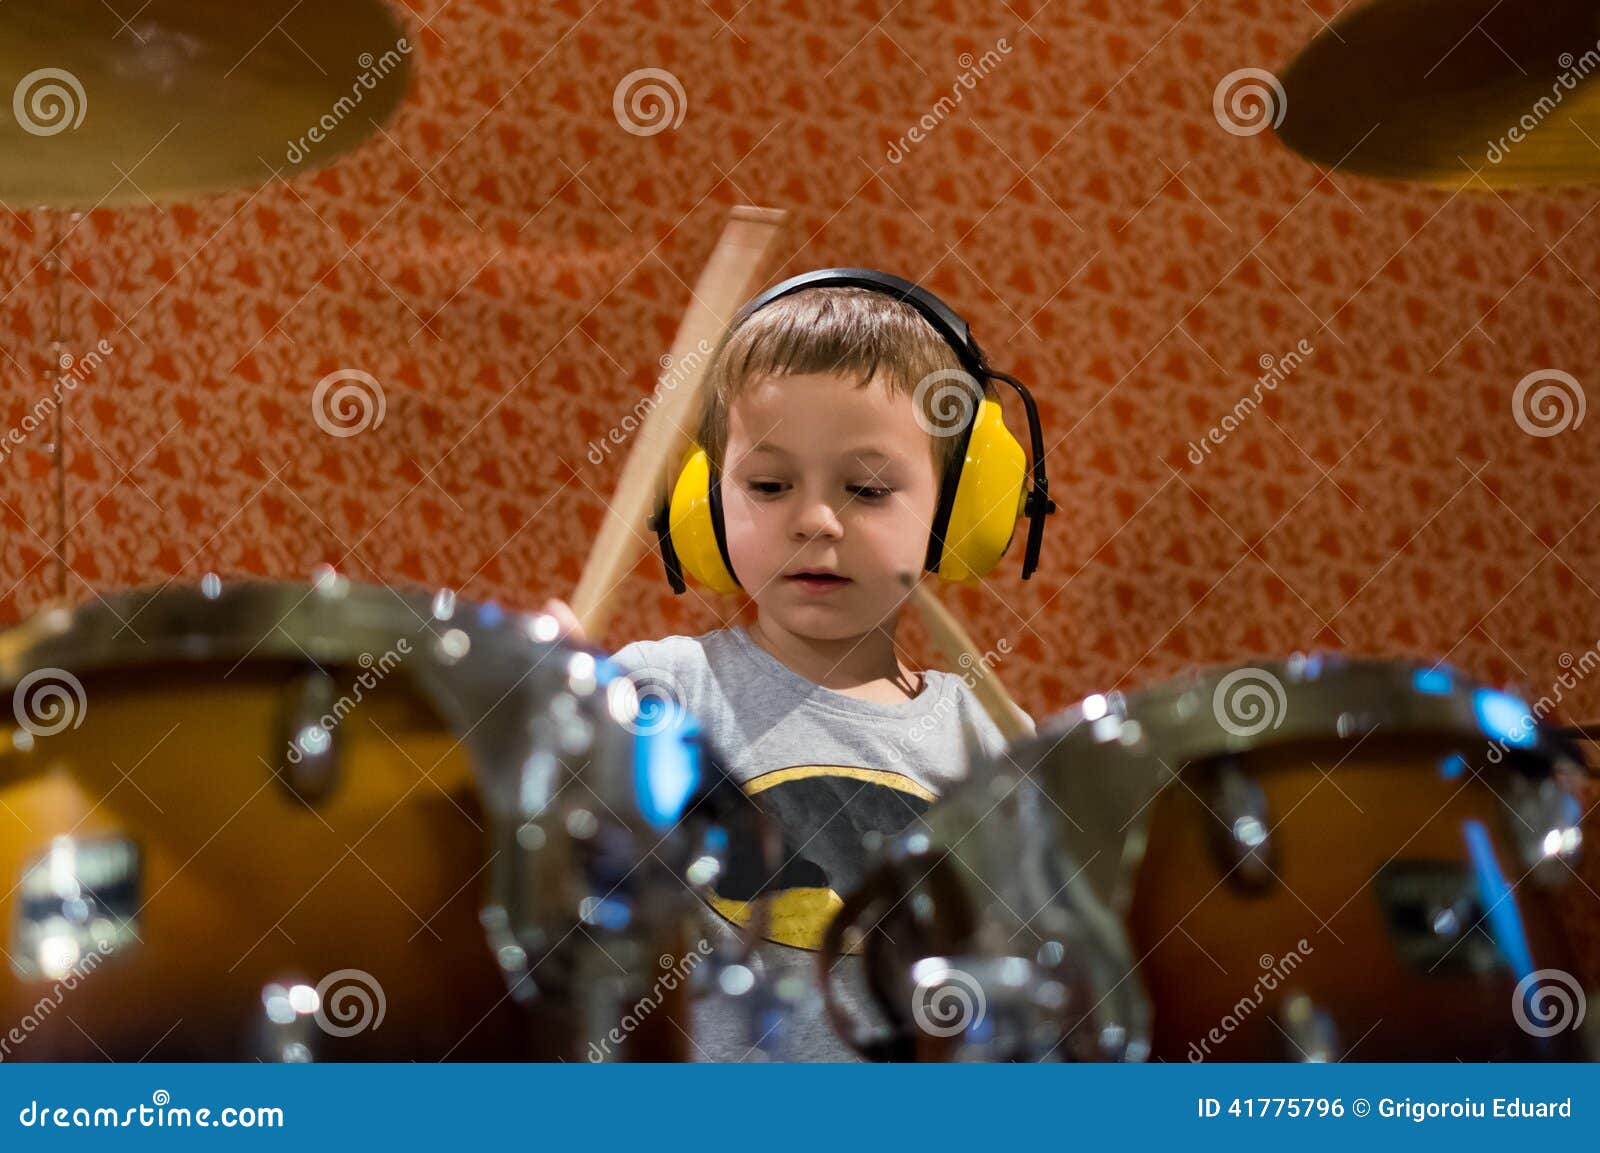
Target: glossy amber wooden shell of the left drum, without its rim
242 884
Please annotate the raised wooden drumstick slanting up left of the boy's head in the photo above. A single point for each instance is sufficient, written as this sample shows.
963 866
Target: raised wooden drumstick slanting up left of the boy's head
727 282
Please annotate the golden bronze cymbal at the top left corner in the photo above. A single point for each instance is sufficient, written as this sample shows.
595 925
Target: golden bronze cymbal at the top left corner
134 102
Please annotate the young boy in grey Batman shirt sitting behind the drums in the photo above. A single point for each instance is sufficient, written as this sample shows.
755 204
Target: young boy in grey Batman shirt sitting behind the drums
831 474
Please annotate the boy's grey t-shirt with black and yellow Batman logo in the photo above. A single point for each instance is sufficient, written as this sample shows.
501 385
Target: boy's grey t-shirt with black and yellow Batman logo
838 775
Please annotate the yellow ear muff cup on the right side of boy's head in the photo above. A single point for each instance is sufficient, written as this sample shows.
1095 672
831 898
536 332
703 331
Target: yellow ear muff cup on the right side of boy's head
990 500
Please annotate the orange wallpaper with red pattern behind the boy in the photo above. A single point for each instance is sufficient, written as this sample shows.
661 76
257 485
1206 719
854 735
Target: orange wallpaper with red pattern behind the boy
510 263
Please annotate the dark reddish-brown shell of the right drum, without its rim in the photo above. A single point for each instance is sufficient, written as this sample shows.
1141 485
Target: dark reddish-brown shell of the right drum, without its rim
1209 940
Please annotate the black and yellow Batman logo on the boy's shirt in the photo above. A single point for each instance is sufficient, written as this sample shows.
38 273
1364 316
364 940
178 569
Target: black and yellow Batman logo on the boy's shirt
823 812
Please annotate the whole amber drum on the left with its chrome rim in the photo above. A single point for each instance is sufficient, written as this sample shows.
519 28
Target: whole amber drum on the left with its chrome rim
329 821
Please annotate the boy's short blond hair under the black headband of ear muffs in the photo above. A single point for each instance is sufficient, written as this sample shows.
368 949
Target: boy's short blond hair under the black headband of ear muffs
854 332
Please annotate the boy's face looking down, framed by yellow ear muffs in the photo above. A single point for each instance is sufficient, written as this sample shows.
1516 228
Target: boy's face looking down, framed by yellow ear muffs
823 476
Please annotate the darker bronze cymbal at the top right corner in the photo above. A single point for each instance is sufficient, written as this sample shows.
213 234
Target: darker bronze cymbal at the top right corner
1438 90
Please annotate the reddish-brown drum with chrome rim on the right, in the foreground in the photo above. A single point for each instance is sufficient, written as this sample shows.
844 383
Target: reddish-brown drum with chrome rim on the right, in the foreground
1310 860
